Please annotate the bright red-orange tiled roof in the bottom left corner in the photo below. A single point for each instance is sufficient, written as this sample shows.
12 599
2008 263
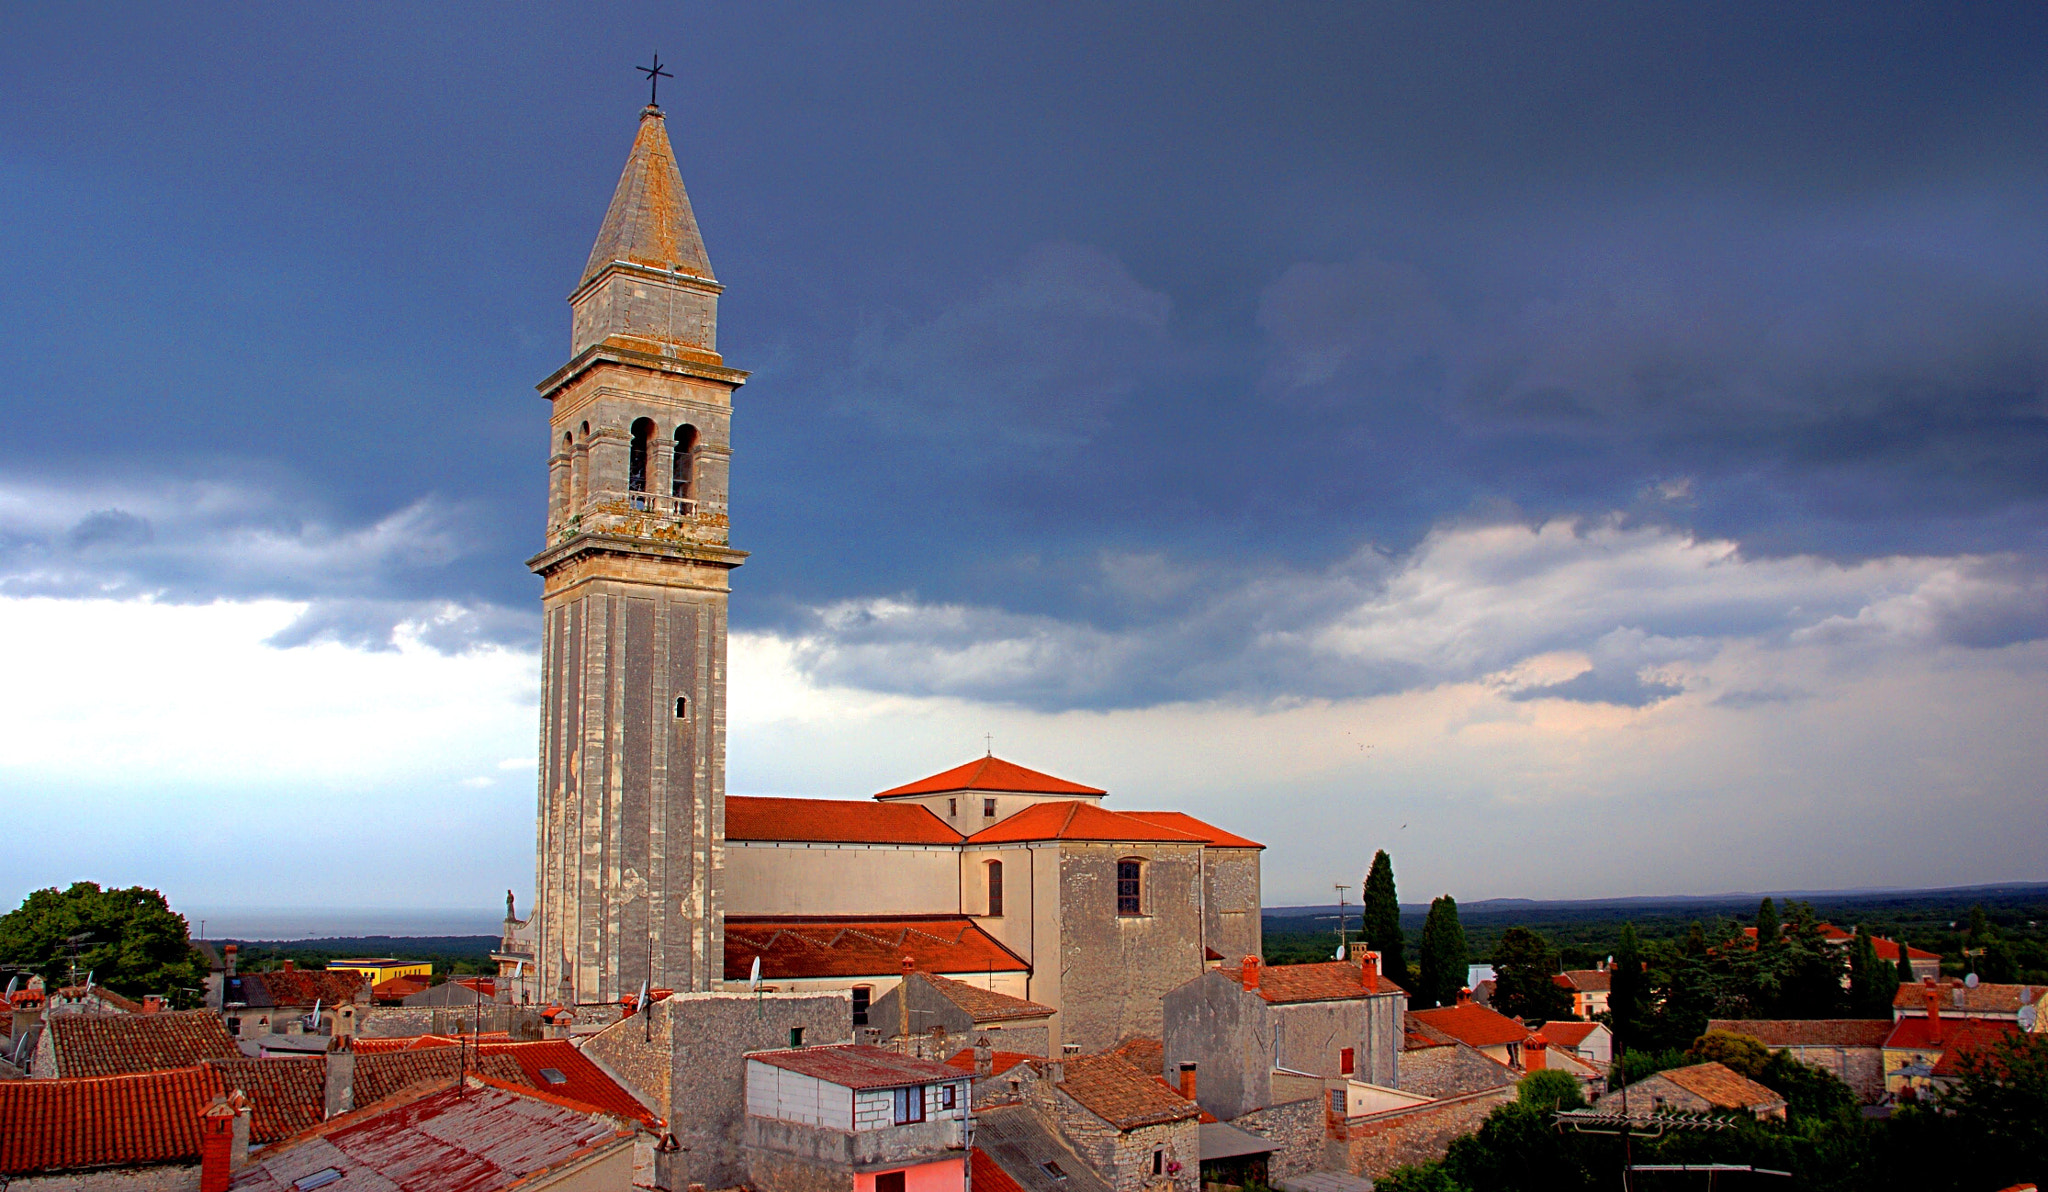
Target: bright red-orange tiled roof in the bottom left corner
110 1121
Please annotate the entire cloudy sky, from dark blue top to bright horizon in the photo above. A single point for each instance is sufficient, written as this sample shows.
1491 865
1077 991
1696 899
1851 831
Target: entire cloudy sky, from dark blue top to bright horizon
1582 450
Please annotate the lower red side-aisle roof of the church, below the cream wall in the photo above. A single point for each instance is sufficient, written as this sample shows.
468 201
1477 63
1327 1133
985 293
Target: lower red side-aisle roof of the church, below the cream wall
826 947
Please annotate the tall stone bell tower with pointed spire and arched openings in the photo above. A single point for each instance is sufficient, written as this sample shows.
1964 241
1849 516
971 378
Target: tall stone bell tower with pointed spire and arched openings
636 574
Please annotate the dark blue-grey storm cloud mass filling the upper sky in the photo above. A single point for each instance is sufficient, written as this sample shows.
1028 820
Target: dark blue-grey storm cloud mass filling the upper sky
1263 298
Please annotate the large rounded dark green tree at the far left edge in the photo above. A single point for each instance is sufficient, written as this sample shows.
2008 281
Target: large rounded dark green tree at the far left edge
128 939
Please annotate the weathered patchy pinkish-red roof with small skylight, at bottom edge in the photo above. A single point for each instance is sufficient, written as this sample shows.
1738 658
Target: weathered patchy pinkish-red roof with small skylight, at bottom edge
478 1140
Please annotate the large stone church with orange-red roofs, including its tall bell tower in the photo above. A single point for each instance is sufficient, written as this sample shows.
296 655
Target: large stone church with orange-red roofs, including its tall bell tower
646 874
